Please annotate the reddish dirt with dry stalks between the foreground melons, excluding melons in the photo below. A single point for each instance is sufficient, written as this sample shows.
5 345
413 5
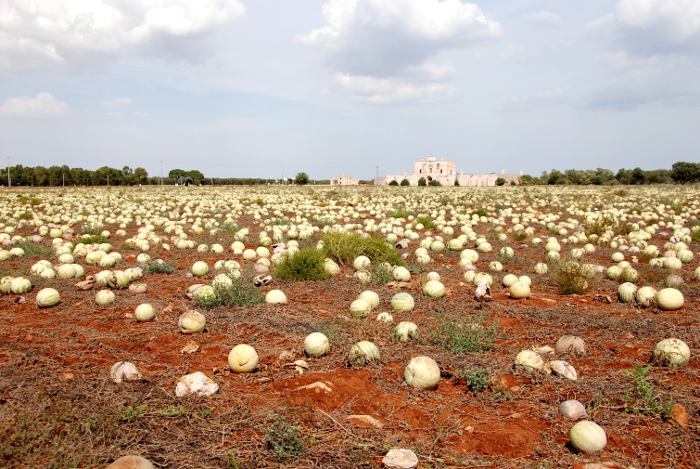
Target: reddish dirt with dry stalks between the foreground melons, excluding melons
59 409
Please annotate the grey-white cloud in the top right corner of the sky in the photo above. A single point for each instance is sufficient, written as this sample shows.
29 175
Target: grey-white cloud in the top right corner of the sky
654 53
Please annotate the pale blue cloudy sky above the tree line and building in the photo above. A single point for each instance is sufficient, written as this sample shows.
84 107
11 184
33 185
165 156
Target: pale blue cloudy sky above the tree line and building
269 88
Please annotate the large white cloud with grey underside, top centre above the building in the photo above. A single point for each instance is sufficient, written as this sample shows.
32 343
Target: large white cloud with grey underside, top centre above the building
371 45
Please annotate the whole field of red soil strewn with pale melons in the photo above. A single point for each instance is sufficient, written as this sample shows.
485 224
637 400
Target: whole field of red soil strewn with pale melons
518 300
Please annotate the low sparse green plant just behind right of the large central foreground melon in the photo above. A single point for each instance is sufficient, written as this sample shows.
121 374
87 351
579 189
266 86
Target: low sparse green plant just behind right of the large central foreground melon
472 336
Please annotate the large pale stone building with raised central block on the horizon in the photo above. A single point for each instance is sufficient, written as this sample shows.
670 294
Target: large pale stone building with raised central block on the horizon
444 172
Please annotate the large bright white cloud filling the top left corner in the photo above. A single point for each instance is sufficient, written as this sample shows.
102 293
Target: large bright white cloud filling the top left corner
37 33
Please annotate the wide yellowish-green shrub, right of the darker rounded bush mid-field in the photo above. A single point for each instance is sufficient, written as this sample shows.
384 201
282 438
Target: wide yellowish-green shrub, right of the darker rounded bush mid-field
345 247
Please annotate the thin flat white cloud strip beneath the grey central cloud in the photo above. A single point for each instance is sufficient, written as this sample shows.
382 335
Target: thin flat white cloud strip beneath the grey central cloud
382 91
